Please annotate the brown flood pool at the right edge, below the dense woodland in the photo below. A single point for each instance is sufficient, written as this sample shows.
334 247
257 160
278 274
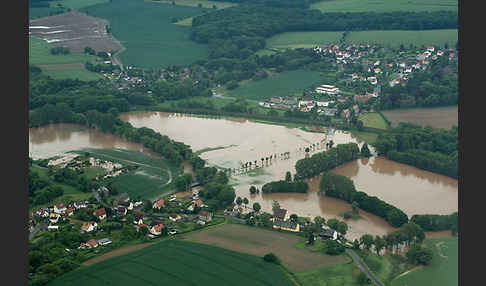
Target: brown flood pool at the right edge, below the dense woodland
413 190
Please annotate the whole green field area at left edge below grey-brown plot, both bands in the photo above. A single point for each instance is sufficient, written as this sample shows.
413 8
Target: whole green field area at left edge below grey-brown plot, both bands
39 54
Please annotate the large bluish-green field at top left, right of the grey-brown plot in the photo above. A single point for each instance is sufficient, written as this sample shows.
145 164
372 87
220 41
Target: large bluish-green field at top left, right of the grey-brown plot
146 31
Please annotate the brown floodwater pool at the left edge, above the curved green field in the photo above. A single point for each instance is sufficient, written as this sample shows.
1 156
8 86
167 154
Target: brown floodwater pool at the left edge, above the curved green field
56 139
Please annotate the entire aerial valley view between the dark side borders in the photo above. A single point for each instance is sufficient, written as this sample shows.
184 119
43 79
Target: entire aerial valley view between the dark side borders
243 142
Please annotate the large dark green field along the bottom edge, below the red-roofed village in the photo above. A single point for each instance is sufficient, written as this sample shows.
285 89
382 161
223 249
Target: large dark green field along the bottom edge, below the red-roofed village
174 262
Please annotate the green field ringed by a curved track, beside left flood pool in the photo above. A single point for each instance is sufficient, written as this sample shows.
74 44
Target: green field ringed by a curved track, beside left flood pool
147 181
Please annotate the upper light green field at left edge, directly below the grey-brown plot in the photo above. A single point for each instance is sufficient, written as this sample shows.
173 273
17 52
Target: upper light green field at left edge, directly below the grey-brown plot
39 54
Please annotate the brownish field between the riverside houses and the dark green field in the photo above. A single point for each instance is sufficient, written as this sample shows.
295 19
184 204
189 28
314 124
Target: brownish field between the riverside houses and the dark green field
259 241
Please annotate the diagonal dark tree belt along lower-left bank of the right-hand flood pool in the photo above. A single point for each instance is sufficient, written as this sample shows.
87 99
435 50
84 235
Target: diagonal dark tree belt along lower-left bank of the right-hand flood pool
341 187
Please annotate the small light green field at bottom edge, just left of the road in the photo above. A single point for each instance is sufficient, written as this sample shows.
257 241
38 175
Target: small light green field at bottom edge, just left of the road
337 275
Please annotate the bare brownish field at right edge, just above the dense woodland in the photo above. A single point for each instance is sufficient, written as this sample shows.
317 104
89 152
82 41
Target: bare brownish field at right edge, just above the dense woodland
438 117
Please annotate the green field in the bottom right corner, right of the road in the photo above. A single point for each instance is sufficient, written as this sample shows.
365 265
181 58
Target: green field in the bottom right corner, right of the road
443 269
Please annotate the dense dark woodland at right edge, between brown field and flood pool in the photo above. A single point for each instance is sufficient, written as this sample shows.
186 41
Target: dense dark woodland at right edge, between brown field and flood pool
426 148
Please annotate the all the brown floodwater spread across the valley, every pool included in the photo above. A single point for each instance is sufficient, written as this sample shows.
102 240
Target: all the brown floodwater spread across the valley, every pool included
240 140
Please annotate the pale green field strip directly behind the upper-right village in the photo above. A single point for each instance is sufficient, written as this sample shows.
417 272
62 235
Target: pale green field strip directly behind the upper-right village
392 38
